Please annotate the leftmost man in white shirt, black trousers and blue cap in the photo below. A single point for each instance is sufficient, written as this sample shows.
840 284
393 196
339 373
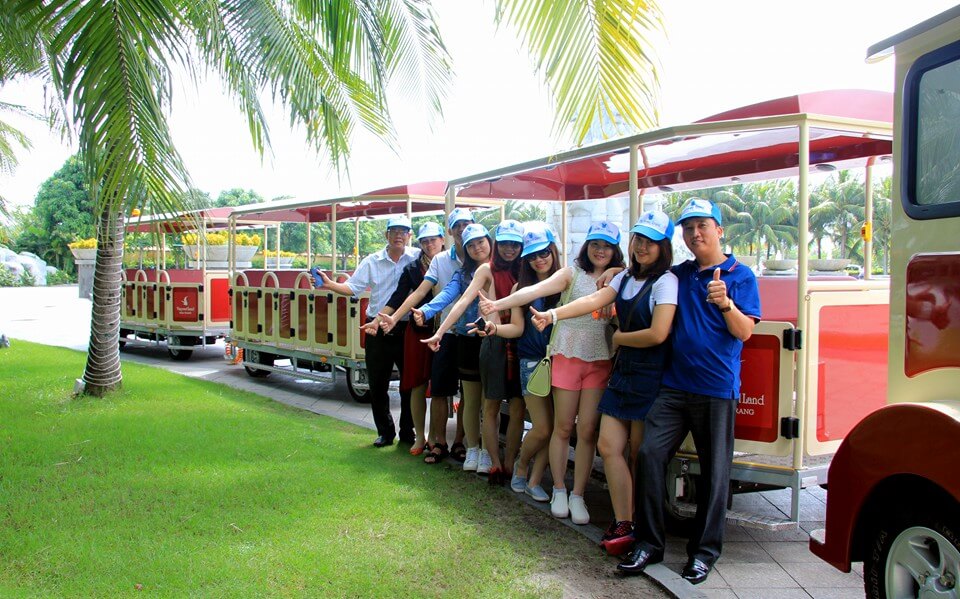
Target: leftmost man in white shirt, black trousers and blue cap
380 273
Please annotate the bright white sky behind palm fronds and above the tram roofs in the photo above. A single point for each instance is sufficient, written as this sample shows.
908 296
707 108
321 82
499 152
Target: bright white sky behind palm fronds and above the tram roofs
716 56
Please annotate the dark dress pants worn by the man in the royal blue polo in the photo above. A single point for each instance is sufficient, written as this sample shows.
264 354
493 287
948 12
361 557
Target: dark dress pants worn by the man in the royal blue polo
710 420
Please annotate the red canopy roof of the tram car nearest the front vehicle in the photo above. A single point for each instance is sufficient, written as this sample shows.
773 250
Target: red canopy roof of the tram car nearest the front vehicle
756 142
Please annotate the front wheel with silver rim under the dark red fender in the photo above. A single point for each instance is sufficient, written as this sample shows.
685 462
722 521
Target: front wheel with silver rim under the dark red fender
913 536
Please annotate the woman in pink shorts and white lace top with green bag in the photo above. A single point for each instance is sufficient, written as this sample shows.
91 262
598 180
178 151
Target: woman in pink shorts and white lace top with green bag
581 365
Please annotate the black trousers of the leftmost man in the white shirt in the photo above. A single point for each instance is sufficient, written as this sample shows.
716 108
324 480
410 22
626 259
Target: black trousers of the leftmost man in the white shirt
382 352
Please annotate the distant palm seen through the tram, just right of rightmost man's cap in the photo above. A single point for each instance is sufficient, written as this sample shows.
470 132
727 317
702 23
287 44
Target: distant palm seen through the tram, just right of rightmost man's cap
758 215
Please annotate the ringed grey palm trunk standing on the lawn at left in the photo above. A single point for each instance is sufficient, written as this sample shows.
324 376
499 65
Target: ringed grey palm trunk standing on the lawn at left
102 373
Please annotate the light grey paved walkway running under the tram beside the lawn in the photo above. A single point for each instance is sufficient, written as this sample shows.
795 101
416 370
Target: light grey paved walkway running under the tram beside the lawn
755 564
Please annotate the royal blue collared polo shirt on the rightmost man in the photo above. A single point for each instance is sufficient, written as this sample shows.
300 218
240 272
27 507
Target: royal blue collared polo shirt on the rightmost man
705 357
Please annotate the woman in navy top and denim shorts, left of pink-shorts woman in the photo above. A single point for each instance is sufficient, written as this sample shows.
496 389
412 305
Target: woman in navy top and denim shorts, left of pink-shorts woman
539 260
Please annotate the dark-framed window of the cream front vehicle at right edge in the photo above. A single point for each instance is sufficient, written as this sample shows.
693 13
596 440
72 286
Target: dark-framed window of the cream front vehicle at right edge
932 135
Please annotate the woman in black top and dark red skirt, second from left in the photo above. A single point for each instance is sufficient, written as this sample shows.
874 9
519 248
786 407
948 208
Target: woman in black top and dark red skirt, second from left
416 358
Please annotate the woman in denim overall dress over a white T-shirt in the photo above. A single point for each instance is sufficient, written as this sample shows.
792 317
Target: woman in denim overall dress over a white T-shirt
645 296
